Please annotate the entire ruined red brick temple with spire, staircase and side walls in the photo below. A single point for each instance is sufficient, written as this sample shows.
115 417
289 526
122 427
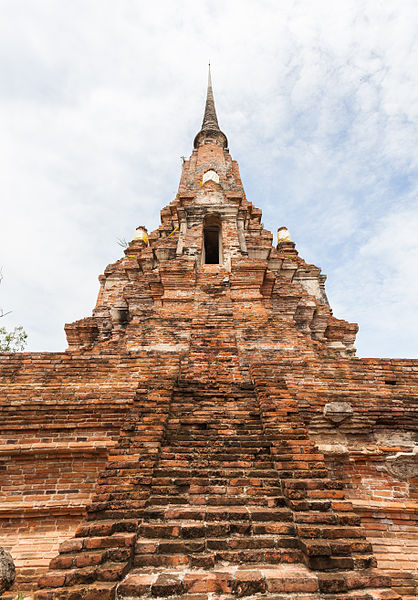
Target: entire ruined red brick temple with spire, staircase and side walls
210 432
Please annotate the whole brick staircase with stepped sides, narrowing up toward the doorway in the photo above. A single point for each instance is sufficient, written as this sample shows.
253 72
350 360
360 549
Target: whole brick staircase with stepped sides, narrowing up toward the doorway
234 500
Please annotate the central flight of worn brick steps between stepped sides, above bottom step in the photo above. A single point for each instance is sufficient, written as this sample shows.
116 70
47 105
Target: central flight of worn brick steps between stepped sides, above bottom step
215 497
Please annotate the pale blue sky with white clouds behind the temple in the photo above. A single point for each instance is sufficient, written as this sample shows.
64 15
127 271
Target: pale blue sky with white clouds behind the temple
319 99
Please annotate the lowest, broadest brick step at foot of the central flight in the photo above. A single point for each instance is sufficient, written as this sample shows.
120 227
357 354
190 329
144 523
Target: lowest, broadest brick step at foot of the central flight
229 582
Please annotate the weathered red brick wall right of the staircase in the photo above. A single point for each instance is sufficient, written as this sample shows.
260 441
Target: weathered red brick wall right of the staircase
360 450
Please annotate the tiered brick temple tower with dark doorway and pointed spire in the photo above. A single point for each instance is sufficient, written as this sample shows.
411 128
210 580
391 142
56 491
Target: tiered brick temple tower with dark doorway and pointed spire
210 230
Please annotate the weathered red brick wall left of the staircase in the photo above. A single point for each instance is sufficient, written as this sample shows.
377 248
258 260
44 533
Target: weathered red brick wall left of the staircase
61 415
